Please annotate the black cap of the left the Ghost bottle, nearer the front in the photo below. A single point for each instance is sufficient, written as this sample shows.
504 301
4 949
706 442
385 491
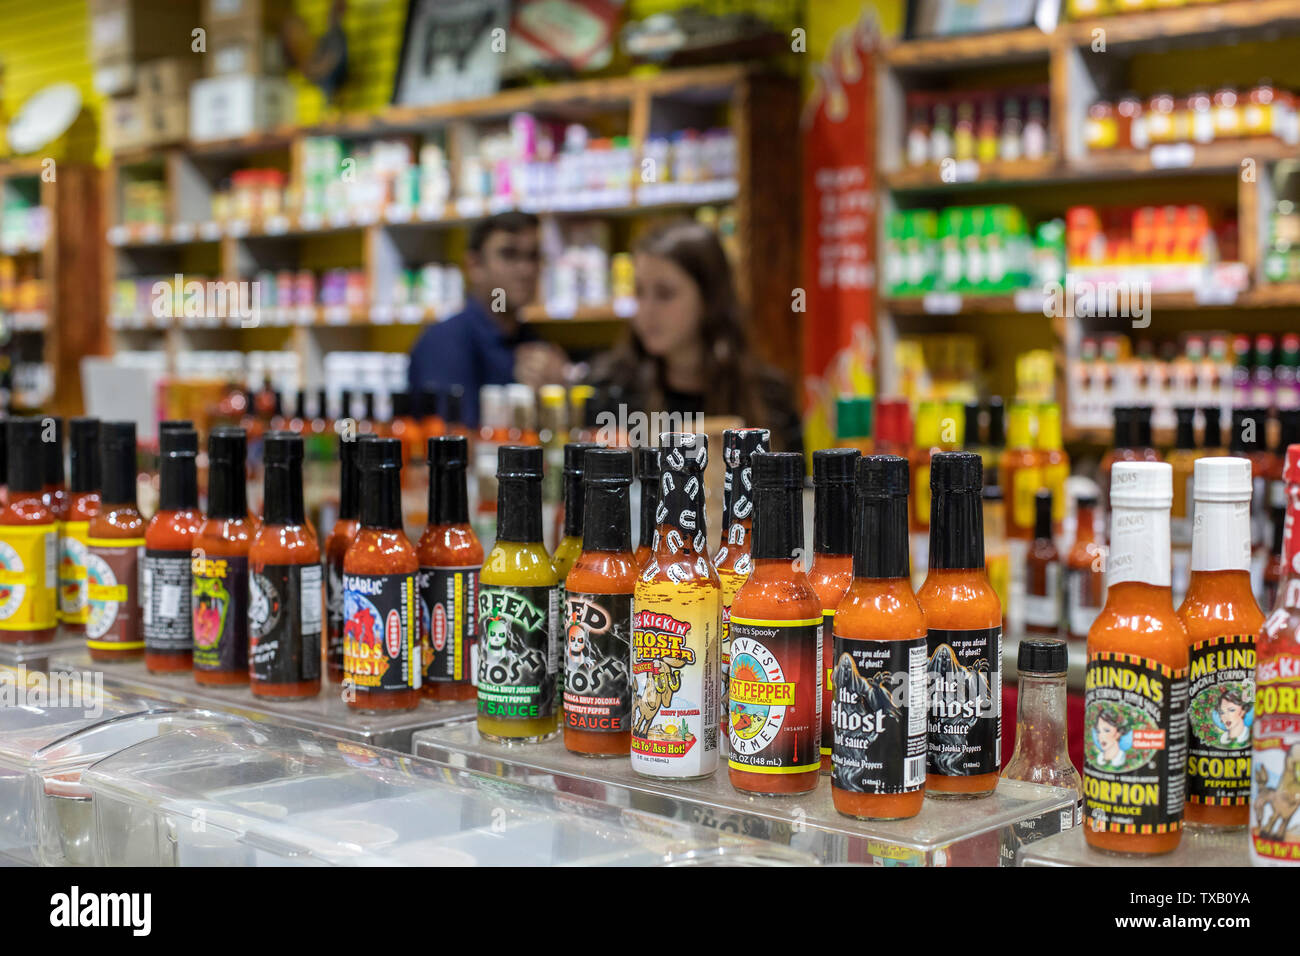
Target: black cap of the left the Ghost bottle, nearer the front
882 546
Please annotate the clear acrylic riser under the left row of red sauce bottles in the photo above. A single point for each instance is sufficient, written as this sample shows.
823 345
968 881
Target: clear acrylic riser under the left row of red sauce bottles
326 713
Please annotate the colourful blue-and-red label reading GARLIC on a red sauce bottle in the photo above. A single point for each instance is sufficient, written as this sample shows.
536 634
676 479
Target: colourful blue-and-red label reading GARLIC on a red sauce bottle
382 650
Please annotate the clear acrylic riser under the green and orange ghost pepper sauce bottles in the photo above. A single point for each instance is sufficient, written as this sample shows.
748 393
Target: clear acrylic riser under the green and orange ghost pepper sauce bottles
946 833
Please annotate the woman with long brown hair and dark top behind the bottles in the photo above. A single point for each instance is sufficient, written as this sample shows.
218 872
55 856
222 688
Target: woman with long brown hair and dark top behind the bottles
687 352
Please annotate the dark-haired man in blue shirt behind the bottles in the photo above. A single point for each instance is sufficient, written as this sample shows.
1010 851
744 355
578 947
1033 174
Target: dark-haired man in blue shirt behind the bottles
486 344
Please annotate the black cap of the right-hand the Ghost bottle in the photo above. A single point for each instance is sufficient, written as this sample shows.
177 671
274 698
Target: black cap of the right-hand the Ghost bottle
956 513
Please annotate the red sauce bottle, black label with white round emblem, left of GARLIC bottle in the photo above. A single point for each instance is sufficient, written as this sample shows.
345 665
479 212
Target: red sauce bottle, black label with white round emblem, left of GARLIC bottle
287 592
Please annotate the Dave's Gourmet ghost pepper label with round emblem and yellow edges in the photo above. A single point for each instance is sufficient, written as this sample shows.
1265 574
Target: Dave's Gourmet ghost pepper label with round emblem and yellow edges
774 703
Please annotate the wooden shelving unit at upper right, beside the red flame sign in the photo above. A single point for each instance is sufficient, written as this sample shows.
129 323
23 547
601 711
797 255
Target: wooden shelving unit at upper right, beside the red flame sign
1078 62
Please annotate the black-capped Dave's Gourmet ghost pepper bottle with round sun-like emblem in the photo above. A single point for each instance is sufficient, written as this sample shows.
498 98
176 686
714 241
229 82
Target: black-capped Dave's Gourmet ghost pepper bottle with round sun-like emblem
774 703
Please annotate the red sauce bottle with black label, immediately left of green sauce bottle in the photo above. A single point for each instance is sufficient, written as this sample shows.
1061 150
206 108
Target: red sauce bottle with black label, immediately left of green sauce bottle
450 563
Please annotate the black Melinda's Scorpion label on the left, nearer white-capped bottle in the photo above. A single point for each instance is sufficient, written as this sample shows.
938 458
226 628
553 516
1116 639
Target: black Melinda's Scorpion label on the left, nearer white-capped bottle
1134 745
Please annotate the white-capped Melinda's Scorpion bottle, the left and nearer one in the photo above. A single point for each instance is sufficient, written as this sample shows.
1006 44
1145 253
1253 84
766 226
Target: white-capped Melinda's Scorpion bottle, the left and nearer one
1136 690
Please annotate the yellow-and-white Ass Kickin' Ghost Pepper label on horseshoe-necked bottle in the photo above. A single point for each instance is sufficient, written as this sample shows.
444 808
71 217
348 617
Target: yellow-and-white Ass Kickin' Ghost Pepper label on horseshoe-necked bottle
677 678
